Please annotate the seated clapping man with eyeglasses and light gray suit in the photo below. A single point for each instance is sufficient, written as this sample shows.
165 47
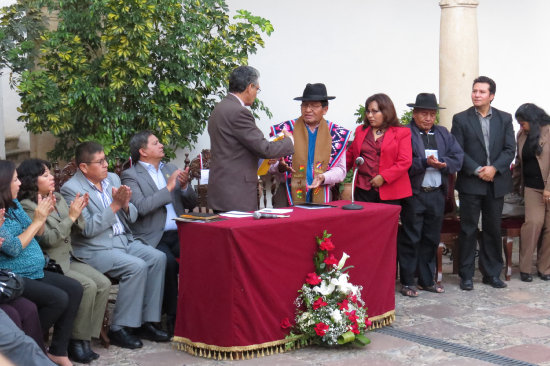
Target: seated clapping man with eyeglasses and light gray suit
107 244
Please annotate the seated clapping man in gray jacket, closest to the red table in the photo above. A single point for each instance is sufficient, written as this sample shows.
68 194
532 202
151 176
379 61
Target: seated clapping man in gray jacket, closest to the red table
160 193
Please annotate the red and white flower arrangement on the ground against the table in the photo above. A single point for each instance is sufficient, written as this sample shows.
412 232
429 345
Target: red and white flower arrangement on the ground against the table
330 310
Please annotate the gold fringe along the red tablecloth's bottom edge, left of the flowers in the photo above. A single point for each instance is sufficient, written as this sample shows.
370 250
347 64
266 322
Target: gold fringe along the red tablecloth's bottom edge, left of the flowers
238 352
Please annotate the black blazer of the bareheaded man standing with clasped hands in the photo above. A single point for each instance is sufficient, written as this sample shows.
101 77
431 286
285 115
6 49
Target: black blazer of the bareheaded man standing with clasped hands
467 130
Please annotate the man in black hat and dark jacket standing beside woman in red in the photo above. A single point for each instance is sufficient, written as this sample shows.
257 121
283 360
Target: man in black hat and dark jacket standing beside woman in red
436 154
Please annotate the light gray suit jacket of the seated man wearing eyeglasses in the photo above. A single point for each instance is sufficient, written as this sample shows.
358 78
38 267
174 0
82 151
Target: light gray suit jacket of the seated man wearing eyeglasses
93 244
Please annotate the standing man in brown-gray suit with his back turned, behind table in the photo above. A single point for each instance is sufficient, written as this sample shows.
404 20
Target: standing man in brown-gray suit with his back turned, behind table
236 144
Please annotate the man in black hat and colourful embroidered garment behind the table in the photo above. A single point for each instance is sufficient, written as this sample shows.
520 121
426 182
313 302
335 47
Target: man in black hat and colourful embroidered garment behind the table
319 159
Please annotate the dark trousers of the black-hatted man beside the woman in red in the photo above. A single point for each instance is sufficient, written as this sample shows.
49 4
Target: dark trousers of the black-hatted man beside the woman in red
421 220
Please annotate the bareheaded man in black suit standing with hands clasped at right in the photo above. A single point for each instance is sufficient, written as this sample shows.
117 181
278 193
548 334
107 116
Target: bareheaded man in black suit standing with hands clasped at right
487 137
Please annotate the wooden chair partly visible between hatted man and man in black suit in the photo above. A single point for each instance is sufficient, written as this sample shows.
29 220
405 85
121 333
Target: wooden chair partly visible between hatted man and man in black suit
449 231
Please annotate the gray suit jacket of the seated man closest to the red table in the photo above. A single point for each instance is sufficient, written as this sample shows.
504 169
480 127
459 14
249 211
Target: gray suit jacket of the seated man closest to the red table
150 201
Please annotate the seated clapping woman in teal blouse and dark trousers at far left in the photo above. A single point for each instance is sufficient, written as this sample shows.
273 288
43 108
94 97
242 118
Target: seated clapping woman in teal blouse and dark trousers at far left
56 296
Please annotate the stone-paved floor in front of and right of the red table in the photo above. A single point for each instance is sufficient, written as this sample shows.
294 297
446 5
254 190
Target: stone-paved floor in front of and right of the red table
512 322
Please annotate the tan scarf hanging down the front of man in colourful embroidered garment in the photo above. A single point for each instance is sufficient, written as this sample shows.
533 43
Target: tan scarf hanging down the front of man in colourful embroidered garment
323 145
